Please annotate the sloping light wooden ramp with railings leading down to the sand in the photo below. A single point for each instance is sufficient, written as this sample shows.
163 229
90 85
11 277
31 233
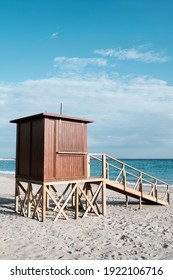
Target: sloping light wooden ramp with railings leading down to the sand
123 178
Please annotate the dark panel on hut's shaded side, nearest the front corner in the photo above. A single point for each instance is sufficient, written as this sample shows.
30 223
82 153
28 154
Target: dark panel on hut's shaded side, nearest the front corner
37 148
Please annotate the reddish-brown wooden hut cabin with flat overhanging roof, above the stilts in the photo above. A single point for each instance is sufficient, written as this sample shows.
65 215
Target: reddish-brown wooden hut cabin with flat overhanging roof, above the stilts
51 147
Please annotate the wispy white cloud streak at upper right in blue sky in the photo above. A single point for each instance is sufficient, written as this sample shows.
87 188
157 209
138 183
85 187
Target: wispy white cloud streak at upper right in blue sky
137 54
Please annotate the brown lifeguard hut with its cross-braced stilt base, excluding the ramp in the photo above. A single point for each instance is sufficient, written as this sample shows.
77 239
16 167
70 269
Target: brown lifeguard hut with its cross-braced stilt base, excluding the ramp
51 153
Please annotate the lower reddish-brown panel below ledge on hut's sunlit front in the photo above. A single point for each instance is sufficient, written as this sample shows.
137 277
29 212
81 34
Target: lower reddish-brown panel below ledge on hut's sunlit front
70 166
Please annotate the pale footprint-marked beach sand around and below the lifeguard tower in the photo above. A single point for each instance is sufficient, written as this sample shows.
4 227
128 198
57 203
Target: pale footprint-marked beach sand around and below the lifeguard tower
124 234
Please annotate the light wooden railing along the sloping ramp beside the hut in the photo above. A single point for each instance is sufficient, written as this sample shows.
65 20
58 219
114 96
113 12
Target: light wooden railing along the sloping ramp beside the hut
102 165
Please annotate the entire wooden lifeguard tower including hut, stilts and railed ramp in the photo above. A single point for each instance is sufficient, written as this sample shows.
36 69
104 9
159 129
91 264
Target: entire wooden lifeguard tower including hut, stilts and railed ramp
53 171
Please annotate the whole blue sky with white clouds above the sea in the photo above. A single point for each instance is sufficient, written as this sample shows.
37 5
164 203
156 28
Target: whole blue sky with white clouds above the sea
109 61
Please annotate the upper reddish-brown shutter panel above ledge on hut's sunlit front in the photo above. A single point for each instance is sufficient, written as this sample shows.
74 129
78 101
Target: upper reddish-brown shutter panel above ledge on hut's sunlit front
72 137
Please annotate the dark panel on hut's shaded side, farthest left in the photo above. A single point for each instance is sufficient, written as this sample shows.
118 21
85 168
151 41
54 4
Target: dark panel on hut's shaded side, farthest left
23 149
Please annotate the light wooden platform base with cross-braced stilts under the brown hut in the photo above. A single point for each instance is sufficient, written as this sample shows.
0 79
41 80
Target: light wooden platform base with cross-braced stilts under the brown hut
80 197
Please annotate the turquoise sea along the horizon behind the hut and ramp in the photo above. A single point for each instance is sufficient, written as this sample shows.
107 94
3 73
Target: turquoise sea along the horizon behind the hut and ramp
159 168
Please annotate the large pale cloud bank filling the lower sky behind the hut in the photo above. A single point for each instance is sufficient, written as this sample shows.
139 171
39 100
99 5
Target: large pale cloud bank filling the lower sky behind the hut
133 112
